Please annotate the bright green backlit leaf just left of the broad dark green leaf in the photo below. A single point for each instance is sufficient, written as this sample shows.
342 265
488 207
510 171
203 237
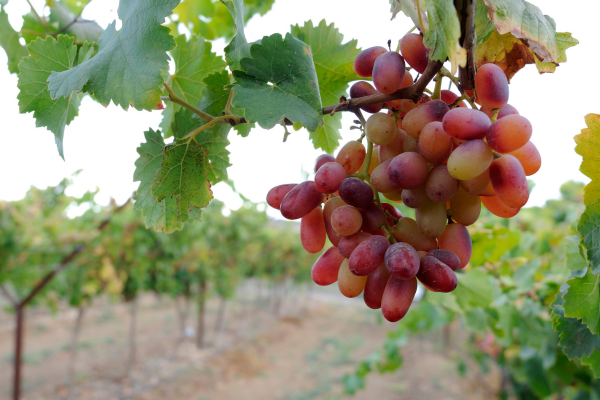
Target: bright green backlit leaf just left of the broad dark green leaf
194 60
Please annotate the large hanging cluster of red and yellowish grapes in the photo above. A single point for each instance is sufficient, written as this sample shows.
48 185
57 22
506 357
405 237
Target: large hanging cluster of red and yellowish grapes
437 156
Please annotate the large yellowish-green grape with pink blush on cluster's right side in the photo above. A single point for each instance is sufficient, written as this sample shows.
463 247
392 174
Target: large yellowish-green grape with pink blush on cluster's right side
470 160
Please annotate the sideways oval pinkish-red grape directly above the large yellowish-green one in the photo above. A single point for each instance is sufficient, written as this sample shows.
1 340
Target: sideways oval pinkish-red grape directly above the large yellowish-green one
466 123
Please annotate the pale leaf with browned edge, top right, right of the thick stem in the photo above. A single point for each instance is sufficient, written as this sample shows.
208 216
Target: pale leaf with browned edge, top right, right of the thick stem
526 21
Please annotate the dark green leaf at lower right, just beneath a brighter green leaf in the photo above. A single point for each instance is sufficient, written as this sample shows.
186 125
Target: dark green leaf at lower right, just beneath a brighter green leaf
574 337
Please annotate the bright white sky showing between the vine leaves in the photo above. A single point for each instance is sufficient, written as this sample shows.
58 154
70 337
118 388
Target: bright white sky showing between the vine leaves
102 141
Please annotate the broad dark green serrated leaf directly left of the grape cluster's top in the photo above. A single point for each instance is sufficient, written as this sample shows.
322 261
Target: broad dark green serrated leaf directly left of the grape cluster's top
280 82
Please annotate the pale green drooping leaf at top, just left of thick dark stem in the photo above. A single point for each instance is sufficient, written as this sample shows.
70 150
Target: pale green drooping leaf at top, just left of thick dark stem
442 37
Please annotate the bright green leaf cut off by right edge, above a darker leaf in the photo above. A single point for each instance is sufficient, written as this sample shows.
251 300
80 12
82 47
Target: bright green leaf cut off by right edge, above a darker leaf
582 300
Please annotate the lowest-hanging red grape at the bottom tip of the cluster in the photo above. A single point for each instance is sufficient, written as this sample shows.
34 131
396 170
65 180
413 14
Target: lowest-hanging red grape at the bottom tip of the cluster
397 298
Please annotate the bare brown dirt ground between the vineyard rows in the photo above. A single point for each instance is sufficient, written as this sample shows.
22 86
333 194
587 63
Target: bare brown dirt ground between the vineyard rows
300 356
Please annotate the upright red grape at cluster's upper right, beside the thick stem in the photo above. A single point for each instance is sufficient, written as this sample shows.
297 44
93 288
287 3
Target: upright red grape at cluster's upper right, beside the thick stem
491 86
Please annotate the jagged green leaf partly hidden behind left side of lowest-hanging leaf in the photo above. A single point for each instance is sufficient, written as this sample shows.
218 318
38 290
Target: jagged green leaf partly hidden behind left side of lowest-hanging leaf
163 216
